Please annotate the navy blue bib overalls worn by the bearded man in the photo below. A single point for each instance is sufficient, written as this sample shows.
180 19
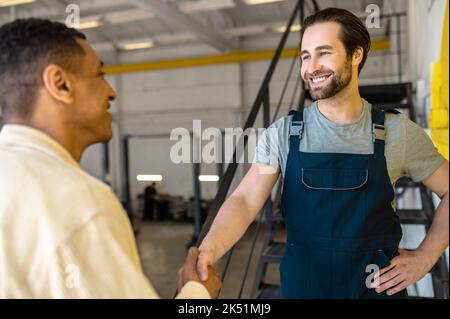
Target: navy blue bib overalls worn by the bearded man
339 219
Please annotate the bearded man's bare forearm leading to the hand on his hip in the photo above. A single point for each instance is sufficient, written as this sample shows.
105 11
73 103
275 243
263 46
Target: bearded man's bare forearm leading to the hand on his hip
436 241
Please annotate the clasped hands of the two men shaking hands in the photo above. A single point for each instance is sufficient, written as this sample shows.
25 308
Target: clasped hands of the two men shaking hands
197 267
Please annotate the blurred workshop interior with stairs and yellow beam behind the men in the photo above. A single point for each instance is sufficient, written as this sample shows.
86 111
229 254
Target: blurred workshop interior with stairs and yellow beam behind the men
233 64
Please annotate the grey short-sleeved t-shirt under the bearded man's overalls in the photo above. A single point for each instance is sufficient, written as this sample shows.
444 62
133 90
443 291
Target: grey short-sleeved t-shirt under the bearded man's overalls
409 151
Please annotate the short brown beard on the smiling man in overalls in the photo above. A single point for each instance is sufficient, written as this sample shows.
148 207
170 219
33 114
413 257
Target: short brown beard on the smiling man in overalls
339 80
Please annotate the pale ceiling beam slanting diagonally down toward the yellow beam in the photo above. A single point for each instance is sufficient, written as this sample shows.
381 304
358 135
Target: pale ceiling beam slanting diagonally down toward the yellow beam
174 16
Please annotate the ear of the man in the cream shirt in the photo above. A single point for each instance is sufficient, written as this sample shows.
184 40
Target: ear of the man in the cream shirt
58 84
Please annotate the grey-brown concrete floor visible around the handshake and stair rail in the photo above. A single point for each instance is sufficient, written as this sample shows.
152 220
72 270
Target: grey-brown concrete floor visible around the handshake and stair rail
162 247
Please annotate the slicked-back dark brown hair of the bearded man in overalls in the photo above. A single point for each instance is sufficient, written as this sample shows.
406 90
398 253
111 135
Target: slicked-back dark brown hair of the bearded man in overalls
353 32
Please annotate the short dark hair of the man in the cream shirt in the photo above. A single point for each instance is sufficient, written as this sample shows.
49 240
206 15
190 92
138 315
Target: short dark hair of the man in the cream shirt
27 47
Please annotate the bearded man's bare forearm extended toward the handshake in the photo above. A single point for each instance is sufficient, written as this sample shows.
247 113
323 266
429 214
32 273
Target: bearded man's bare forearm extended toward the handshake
228 227
